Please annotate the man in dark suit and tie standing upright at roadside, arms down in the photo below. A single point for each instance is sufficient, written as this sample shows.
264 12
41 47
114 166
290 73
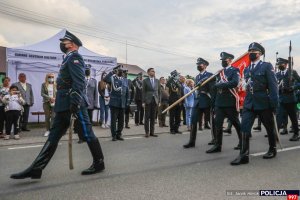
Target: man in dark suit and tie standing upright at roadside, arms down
151 100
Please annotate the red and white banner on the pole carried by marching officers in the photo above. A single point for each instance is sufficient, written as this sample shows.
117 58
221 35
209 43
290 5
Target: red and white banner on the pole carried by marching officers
242 62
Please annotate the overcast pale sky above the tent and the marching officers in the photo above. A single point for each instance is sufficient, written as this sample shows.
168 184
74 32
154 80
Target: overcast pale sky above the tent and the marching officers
189 29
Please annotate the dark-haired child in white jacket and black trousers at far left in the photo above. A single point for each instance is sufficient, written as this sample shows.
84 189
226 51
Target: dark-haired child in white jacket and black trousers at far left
13 107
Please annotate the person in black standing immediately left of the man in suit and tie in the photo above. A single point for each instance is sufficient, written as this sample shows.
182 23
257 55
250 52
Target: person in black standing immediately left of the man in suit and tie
138 84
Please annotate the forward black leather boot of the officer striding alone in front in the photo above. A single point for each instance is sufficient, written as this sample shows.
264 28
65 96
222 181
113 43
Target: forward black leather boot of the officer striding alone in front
35 170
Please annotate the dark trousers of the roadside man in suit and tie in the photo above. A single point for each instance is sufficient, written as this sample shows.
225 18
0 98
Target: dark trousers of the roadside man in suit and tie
150 113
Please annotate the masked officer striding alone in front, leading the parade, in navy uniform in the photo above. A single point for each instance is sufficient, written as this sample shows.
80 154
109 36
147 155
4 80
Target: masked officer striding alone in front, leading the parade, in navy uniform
70 100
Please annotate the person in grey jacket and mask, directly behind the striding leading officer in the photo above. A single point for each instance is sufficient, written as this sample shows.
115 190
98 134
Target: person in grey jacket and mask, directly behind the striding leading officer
91 92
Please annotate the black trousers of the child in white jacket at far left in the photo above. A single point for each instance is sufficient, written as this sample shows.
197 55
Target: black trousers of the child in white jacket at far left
12 118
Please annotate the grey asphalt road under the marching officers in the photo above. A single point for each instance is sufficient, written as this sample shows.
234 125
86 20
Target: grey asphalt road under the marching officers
152 168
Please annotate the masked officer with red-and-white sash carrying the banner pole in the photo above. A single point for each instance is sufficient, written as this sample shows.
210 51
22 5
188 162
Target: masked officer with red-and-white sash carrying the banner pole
226 101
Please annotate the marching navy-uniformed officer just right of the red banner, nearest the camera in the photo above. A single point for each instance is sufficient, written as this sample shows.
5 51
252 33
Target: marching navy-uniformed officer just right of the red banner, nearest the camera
261 99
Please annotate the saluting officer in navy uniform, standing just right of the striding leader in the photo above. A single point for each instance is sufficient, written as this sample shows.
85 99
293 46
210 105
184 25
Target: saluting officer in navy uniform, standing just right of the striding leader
119 100
